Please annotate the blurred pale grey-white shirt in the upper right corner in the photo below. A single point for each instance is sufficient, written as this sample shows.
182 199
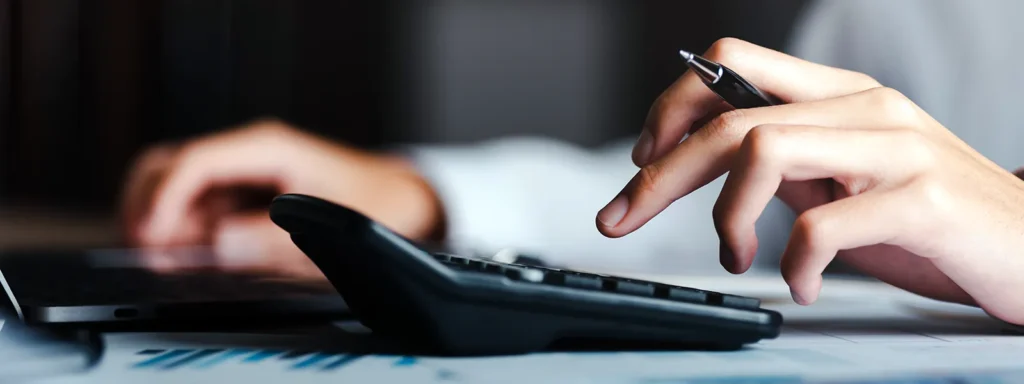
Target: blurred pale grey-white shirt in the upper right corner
947 56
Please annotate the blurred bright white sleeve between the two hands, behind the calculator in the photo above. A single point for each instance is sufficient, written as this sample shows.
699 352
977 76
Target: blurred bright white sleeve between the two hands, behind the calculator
542 197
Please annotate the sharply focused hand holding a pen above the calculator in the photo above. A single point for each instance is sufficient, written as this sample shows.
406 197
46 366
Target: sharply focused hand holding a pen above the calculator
874 179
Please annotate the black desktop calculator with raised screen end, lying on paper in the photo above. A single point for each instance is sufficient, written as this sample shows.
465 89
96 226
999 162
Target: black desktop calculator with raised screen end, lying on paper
455 306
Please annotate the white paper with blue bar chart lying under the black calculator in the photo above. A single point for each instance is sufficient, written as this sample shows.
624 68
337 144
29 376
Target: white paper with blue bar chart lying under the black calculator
889 338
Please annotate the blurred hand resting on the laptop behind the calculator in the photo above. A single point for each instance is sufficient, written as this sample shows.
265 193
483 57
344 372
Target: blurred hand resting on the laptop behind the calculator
216 191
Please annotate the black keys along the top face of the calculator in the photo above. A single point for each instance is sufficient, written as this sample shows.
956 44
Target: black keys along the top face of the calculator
573 279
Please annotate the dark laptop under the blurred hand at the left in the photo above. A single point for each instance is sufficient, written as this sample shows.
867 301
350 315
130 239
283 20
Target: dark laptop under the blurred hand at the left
115 287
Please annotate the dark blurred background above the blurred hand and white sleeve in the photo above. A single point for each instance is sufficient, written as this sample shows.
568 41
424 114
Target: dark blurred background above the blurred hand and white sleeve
86 86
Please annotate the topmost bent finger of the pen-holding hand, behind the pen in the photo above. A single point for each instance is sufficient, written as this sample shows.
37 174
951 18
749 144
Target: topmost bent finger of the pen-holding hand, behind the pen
788 78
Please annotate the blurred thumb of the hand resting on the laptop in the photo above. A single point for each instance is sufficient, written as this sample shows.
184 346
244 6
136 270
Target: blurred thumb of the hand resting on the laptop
253 243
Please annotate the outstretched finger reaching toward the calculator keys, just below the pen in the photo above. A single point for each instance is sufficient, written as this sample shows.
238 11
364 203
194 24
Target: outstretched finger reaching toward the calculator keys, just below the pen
709 154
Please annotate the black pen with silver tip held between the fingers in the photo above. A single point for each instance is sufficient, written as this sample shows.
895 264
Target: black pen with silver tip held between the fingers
734 90
